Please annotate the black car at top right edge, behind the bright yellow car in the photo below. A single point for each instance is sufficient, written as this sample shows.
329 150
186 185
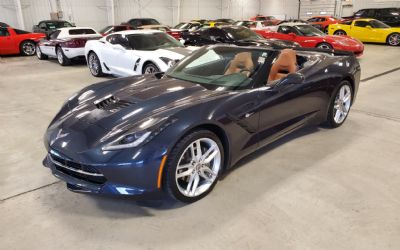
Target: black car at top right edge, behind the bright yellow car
390 16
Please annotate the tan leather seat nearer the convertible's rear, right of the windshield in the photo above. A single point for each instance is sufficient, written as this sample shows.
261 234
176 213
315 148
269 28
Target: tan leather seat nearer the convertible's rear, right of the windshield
284 65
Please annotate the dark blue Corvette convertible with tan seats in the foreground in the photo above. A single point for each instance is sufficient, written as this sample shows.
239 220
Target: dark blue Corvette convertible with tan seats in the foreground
177 132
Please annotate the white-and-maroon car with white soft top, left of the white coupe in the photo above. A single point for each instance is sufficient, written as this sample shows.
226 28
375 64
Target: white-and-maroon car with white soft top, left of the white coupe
66 44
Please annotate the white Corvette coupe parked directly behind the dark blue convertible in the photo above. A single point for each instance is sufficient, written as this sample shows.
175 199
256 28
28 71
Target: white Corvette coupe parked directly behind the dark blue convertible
133 52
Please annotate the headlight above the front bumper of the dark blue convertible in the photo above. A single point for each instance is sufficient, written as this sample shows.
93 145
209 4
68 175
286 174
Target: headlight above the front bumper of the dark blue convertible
146 132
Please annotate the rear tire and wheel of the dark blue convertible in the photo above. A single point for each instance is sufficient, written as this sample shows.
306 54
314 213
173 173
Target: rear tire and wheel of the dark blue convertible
340 105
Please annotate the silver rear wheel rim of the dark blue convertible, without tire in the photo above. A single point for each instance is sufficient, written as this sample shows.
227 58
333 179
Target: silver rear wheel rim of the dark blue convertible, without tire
342 104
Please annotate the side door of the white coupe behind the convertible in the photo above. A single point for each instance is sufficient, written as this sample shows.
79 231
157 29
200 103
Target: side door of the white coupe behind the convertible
117 57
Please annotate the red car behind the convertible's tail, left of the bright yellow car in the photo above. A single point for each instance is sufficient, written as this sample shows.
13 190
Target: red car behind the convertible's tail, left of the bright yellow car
311 37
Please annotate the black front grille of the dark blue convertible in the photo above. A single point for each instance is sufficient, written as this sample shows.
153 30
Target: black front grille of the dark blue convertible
83 172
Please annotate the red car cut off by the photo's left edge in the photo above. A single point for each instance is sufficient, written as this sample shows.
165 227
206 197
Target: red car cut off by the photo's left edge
15 41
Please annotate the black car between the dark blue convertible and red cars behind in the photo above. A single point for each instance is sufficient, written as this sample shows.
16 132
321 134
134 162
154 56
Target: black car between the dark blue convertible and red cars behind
237 35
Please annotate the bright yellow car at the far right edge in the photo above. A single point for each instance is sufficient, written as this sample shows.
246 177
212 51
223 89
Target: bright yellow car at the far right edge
367 30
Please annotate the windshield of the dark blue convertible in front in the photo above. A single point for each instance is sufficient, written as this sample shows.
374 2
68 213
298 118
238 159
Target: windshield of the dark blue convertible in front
221 68
